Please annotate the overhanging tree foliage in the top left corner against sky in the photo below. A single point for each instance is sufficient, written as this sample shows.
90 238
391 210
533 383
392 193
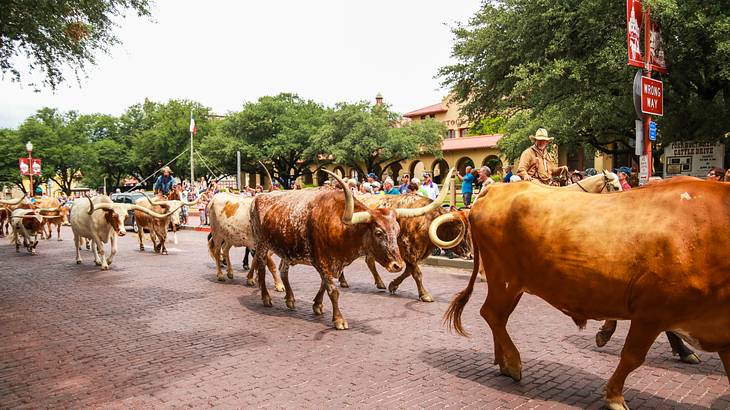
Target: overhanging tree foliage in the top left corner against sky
53 35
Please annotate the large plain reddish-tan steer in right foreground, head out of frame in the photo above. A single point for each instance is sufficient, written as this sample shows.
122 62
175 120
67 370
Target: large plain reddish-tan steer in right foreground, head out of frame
673 276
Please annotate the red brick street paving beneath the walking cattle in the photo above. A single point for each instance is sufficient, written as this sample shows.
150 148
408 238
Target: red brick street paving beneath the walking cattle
160 332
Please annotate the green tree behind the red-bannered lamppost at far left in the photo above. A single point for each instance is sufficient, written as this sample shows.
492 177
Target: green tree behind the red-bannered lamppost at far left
60 141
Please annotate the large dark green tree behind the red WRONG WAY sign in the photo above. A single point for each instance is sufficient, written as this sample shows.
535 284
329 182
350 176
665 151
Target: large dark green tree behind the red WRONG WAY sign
562 65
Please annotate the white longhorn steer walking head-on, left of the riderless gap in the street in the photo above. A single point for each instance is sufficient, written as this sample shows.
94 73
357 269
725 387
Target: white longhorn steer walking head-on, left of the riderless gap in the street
101 227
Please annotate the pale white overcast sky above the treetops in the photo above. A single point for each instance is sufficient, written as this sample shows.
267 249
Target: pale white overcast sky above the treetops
226 53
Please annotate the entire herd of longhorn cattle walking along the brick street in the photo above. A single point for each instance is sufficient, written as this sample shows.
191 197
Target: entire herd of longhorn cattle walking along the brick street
656 256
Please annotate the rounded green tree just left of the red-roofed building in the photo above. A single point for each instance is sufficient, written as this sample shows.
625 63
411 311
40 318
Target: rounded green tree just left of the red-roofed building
366 137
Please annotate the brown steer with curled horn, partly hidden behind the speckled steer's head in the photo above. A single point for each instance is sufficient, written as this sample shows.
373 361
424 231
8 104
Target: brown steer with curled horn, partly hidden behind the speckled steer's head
413 241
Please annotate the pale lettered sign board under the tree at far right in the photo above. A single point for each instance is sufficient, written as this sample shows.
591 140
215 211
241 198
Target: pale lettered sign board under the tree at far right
692 158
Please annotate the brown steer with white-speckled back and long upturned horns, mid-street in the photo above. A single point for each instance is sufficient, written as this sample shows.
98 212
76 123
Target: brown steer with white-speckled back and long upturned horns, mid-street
328 229
